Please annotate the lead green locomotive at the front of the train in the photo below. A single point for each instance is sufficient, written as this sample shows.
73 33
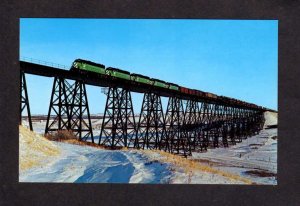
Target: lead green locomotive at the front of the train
87 66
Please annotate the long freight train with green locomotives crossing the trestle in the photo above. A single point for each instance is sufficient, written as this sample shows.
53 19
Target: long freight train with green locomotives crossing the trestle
90 68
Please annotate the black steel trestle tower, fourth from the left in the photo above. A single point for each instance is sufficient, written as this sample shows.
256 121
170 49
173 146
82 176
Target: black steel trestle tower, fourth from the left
151 129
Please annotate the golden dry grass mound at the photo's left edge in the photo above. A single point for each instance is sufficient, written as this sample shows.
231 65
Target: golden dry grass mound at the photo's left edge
34 149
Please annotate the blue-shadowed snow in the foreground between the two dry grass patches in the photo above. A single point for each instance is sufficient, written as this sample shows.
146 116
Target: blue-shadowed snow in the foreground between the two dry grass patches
92 165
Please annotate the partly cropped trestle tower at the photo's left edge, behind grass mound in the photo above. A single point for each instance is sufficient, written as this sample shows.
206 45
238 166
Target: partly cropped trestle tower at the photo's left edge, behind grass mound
24 100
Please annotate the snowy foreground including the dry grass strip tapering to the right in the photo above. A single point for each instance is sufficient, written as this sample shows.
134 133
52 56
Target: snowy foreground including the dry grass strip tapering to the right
85 164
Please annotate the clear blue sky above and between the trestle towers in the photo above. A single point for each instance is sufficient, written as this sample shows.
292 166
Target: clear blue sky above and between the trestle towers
235 58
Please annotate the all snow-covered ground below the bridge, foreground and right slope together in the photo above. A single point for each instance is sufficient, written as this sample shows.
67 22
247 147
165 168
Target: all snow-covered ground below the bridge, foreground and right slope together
254 159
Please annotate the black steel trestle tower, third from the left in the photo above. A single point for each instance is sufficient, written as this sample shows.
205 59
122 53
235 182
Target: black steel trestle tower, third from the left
119 121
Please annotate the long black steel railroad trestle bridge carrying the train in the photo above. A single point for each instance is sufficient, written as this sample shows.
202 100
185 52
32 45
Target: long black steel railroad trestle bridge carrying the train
200 123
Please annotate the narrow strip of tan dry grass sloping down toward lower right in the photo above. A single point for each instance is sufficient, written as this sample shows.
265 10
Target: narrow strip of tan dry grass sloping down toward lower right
190 166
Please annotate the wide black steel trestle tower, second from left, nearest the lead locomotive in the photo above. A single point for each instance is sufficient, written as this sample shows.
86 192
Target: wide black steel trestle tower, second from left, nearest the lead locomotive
69 105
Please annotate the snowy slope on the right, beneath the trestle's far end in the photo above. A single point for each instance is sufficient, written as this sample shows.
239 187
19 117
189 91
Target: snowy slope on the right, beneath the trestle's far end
254 158
